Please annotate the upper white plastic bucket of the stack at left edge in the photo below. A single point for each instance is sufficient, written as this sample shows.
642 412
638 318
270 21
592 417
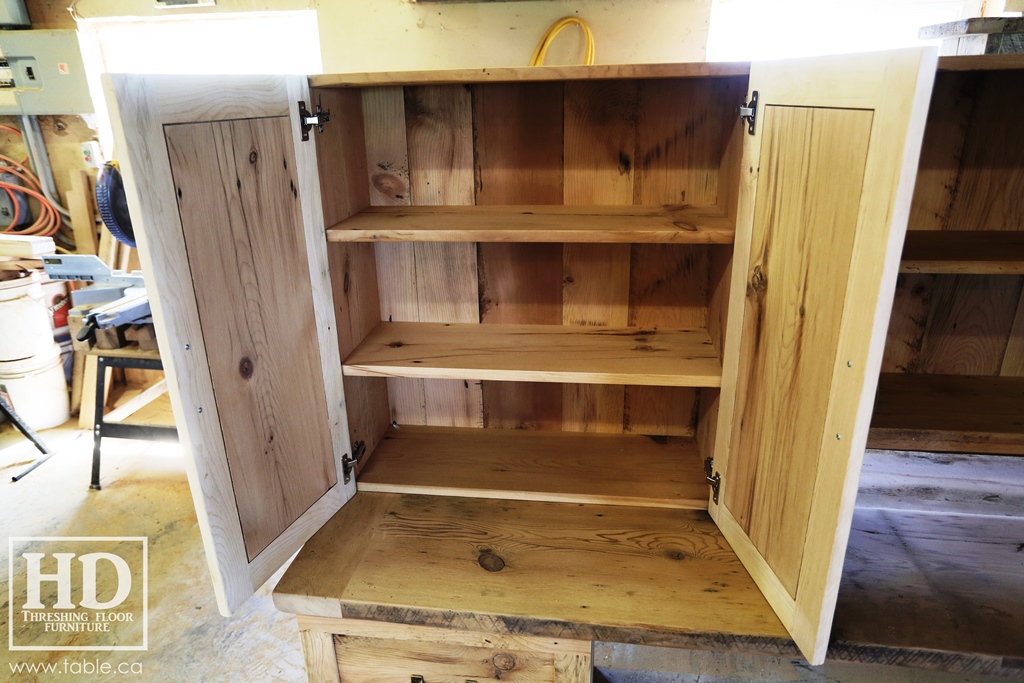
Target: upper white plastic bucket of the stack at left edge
25 320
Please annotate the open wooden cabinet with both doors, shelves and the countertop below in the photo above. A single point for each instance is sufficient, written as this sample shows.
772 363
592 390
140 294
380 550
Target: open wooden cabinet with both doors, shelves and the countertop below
540 303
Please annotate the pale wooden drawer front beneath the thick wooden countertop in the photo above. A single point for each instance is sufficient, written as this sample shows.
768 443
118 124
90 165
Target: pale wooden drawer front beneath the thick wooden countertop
360 652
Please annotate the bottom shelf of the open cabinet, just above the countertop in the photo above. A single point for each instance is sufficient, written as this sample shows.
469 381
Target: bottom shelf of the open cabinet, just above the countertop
529 465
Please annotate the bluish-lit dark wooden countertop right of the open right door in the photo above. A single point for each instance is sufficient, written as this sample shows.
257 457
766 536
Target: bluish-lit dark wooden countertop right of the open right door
935 564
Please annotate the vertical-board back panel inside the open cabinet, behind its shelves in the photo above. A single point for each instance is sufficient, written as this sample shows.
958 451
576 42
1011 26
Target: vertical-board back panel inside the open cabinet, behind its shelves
603 143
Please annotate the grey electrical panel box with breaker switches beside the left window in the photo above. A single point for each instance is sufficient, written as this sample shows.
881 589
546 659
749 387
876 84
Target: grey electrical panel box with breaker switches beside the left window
42 72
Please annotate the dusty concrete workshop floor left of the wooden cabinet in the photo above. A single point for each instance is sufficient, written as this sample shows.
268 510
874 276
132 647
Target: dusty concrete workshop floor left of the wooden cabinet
145 494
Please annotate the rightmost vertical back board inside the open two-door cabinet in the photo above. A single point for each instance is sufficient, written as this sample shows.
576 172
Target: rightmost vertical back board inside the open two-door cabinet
685 132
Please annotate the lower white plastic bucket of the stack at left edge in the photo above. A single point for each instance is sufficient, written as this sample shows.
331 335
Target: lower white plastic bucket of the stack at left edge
37 390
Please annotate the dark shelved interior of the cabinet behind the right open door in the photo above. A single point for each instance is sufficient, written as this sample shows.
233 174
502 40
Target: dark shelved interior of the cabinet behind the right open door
954 369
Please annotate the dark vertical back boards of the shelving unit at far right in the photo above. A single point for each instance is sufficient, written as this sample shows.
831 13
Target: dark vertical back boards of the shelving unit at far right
971 179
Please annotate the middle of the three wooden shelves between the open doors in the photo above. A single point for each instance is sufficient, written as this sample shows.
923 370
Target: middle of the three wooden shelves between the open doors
538 354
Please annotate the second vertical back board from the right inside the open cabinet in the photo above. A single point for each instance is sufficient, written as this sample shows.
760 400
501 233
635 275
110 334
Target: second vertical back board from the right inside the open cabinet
601 143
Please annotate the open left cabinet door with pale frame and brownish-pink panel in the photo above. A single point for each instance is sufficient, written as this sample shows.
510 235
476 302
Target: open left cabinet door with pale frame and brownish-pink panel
226 202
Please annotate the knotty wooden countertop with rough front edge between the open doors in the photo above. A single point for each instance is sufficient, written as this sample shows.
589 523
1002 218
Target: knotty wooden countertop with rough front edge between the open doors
582 572
